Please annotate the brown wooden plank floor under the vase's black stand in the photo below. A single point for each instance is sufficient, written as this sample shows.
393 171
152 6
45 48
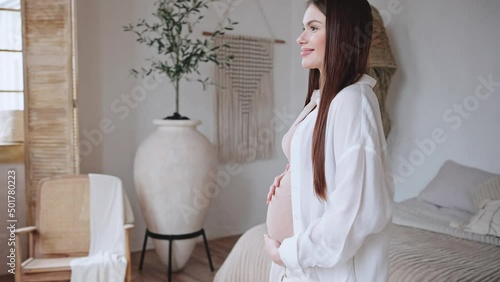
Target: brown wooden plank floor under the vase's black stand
196 270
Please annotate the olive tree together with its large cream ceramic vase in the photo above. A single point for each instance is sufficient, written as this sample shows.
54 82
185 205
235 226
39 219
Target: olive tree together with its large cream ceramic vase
174 166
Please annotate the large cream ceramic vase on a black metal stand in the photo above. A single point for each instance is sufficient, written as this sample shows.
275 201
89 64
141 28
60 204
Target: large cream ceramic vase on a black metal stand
174 174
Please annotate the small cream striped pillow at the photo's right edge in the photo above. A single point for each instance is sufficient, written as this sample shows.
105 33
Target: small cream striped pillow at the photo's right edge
487 220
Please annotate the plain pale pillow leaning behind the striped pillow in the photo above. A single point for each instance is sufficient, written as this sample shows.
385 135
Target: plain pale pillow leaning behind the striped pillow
451 186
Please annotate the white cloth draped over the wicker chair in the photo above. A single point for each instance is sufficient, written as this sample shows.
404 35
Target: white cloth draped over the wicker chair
106 261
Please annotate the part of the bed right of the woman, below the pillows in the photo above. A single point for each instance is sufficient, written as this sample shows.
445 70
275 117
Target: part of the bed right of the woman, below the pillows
429 244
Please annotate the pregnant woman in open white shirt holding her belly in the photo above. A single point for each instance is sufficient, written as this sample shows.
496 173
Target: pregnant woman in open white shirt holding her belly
329 212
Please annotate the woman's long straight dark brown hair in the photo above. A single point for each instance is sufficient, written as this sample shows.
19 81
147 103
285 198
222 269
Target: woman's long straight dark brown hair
349 26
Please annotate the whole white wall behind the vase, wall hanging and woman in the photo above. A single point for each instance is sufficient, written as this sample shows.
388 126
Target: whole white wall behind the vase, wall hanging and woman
441 49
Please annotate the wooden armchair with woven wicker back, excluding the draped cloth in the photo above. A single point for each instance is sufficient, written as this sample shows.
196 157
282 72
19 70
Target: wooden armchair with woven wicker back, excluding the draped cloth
62 230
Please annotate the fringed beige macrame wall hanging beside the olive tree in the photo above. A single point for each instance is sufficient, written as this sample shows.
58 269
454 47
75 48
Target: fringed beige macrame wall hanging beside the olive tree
244 105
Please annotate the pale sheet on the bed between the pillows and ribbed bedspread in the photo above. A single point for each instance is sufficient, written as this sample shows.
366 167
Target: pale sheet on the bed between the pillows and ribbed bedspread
419 214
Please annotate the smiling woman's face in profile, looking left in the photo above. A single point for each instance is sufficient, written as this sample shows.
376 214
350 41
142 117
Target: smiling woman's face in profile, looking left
313 39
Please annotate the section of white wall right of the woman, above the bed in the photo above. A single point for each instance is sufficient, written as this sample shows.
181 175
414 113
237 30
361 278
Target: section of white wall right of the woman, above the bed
442 48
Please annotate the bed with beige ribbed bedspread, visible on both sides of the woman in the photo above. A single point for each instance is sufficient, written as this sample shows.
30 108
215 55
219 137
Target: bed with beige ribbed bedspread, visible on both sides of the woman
428 244
